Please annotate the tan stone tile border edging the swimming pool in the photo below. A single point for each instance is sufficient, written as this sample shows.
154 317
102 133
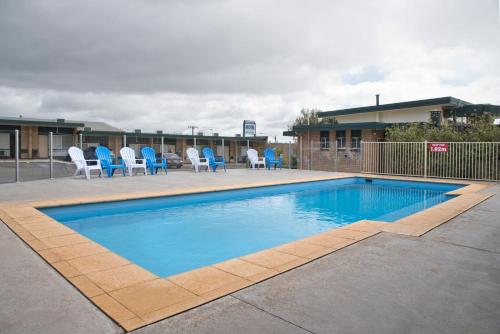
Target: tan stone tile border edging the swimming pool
134 297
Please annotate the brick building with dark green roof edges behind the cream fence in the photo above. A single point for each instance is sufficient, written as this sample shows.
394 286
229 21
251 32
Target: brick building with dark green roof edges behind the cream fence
335 143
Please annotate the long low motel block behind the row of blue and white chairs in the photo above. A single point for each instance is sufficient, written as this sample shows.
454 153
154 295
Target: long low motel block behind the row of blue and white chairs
34 139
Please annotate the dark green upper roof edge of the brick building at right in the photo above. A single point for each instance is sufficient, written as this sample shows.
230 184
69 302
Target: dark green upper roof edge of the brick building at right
448 100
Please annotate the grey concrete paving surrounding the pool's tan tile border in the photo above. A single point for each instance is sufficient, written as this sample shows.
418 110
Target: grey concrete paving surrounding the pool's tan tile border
447 281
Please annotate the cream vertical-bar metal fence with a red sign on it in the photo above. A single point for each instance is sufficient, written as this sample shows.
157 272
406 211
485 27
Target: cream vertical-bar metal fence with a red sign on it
456 160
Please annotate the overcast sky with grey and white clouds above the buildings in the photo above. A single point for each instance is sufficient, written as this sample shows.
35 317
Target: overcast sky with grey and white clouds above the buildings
155 64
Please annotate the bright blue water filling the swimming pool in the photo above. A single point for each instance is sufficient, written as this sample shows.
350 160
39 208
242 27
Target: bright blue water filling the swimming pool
170 235
